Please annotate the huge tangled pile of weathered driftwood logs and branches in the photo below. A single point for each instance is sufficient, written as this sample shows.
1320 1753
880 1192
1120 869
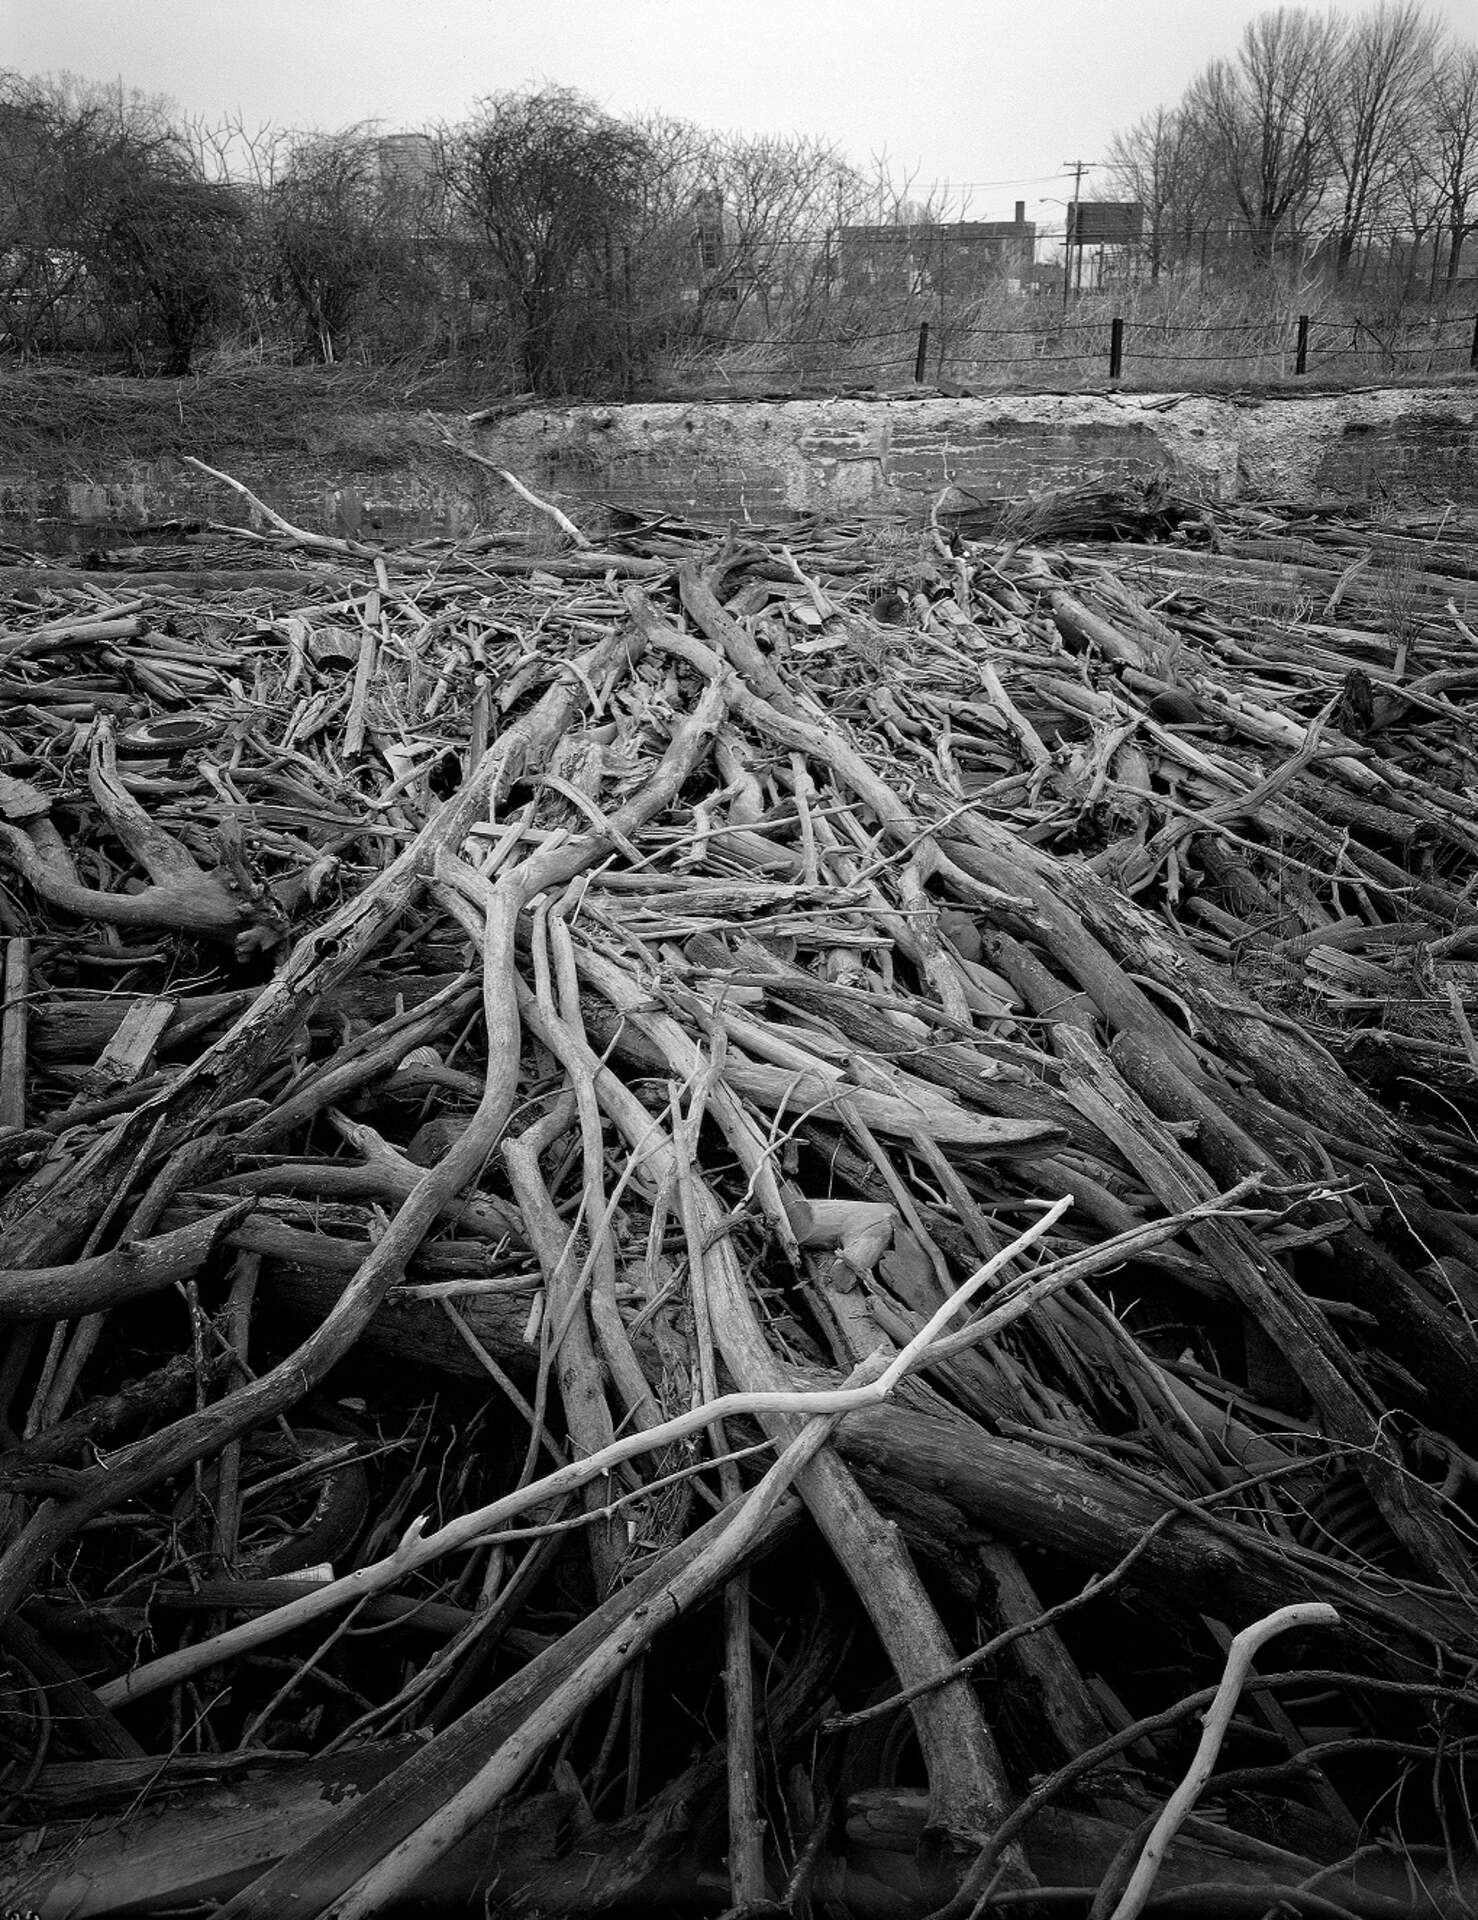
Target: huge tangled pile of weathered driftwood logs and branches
723 1224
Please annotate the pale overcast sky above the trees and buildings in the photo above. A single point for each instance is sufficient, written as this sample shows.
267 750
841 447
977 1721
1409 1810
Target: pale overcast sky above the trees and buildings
991 97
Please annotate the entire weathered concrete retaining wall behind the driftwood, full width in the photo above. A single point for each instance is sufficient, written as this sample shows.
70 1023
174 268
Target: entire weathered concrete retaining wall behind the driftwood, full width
838 458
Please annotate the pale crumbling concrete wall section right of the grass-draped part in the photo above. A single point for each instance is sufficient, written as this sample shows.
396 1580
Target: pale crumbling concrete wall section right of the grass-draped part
847 458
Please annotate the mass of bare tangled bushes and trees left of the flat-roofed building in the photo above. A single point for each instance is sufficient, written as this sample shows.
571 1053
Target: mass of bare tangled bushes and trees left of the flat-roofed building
544 233
